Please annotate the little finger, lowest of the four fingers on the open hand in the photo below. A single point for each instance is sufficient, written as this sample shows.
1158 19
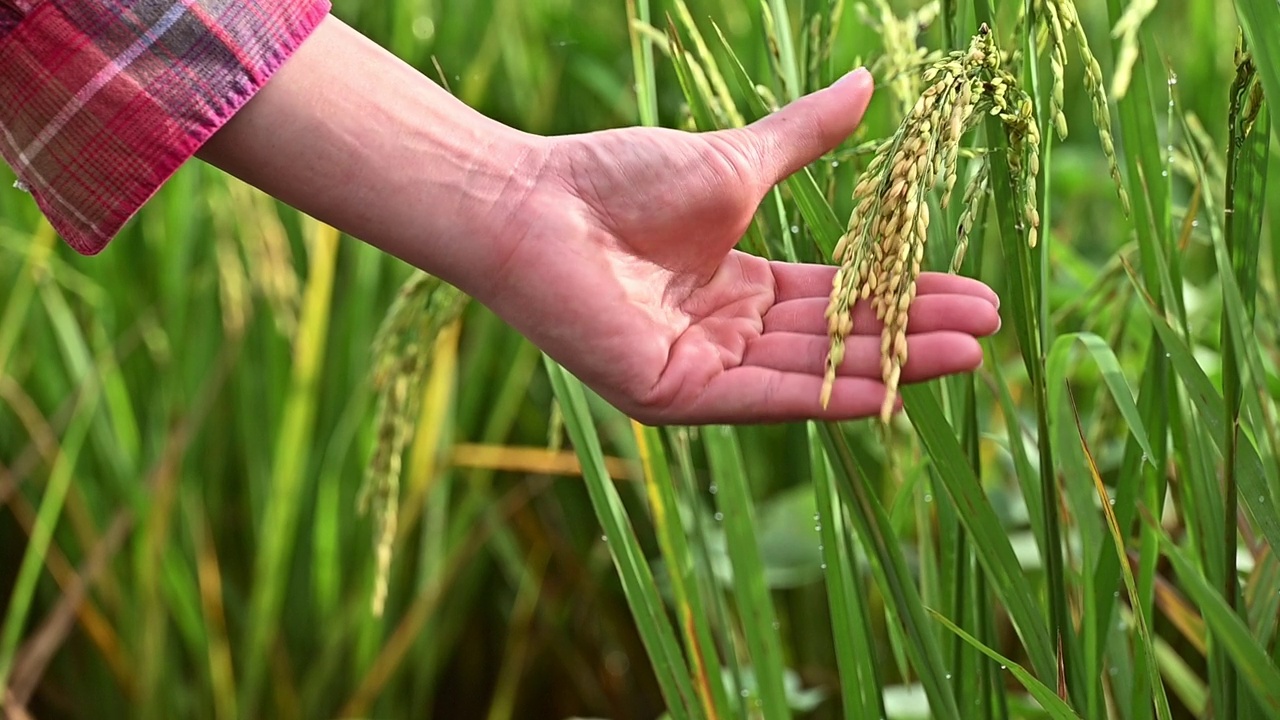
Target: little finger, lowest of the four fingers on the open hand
760 395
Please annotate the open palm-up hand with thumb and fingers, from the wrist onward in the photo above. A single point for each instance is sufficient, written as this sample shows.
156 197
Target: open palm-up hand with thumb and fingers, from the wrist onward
628 276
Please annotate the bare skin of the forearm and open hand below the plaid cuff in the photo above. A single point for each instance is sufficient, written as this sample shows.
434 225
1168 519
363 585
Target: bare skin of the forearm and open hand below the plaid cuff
612 252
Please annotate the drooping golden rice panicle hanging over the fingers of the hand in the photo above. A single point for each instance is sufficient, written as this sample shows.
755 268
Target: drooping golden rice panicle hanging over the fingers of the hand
881 252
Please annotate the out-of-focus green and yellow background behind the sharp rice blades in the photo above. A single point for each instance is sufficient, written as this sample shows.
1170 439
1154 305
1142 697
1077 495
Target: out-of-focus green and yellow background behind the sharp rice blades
186 421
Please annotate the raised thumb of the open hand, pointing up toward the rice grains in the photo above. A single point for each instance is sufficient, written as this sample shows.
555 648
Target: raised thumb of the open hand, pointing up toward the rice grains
785 142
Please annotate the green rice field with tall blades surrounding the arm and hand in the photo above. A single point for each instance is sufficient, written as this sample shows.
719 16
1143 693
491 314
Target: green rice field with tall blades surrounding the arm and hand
253 468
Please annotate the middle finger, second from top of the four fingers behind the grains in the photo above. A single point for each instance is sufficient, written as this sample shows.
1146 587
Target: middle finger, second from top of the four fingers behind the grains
930 313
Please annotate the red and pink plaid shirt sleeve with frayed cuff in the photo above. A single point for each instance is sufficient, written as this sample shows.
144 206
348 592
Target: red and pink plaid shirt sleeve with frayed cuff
103 101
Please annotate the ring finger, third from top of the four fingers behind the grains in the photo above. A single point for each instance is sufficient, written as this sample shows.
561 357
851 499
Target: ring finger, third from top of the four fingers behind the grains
929 357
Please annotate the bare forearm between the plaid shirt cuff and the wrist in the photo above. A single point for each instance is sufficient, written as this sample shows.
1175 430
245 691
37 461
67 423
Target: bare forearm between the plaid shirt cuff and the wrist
353 136
